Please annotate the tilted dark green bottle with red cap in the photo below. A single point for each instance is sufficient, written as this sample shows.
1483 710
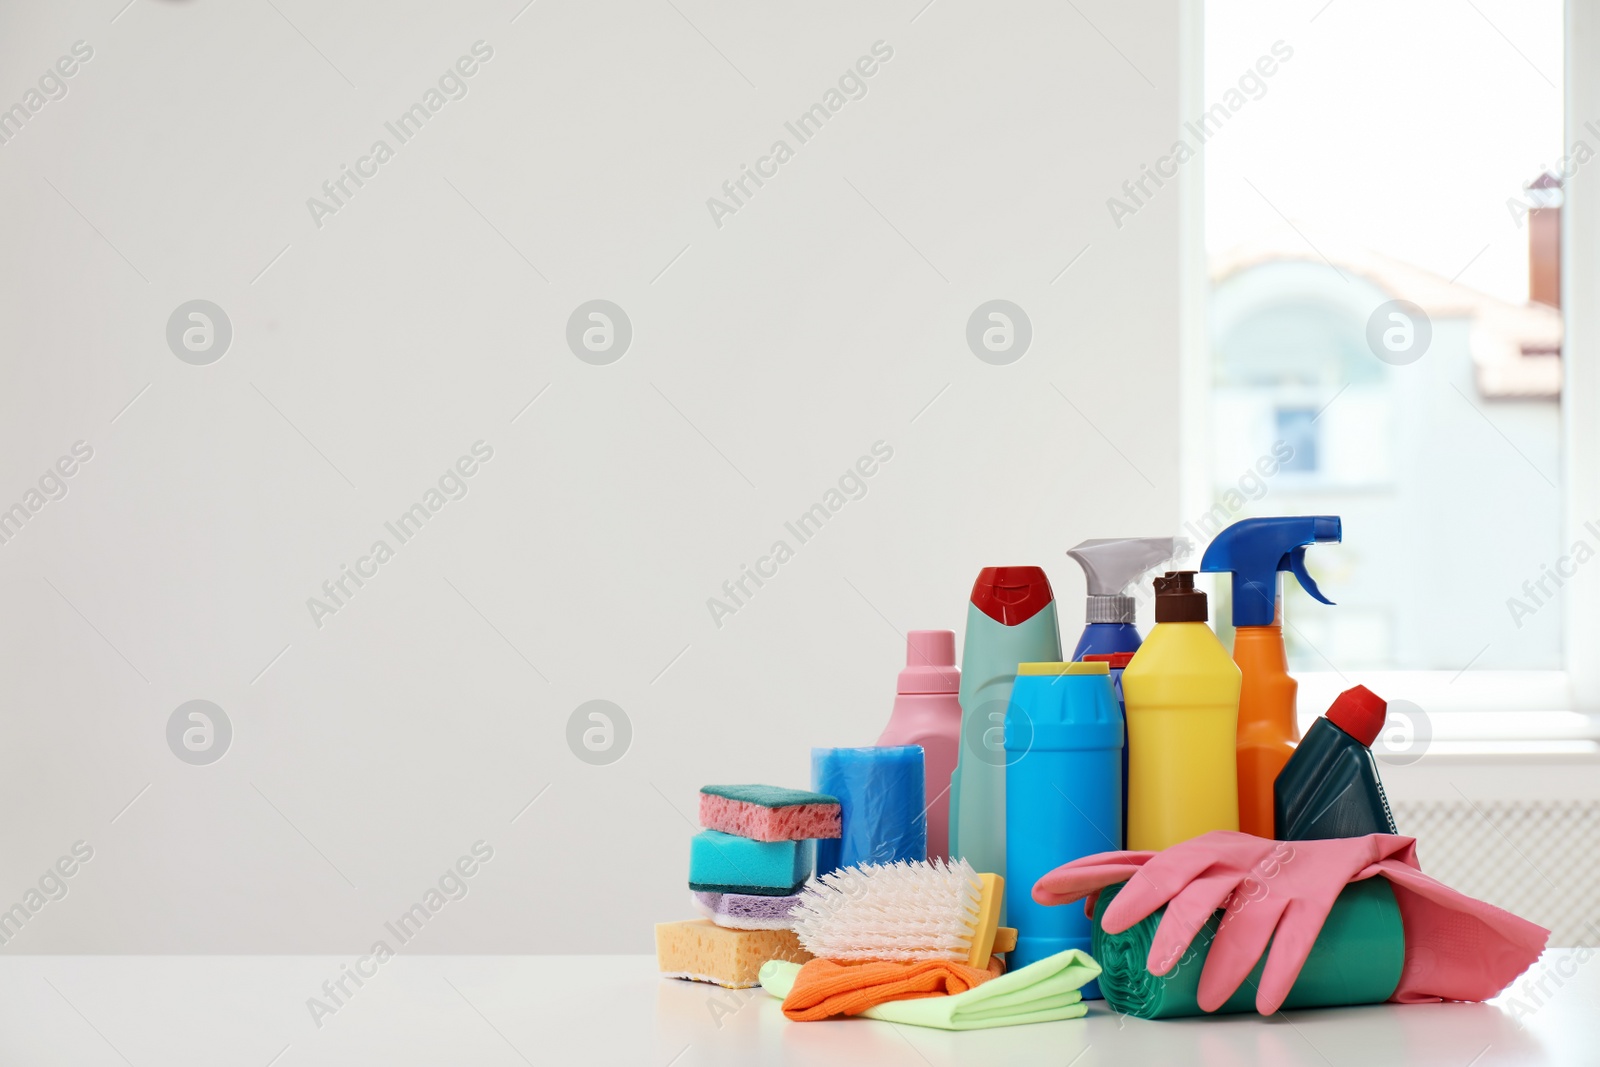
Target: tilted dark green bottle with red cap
1330 786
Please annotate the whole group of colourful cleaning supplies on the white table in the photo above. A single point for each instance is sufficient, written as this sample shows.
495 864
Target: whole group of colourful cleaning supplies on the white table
1012 786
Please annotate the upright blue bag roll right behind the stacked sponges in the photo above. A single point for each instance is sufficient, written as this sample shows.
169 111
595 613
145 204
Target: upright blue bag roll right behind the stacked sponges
881 796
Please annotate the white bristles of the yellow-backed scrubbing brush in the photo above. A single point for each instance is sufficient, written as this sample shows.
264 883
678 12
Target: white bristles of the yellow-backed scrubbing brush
924 911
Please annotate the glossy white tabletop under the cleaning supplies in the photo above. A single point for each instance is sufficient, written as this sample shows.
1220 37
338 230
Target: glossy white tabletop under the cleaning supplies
617 1010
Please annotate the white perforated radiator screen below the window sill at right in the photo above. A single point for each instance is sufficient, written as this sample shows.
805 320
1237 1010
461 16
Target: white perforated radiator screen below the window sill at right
1538 860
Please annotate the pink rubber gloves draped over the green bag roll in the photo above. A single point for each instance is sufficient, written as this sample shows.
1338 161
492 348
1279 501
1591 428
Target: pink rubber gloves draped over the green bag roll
1281 893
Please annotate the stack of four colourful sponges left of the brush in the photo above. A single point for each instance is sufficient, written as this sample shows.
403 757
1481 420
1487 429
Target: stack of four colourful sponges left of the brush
746 868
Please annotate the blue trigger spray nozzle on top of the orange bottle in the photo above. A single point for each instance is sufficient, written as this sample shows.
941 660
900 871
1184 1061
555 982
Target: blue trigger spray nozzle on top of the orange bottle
1257 549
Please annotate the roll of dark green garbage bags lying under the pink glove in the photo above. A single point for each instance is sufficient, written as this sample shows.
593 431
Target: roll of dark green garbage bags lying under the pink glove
1356 961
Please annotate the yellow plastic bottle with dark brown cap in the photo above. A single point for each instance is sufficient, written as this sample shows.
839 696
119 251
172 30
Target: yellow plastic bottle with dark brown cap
1182 695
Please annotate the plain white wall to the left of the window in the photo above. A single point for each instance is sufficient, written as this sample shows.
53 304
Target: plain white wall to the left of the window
769 356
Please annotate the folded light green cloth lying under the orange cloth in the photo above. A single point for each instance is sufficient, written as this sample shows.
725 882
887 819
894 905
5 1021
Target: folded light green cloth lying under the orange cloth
1041 993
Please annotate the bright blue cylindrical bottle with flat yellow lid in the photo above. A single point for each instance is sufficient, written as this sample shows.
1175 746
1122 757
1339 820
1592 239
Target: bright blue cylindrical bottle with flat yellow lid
1063 796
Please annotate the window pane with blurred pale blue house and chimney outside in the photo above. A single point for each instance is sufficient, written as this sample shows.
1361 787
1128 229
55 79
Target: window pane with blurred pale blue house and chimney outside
1383 217
